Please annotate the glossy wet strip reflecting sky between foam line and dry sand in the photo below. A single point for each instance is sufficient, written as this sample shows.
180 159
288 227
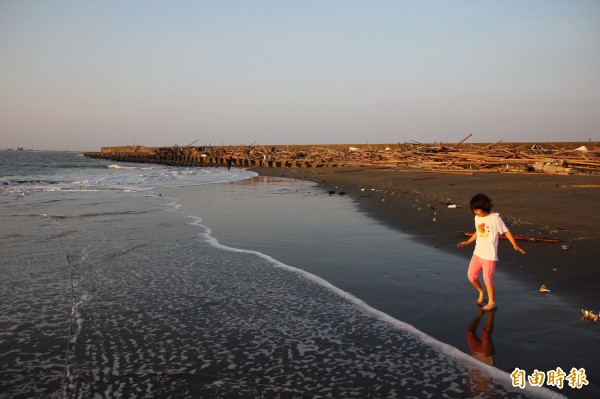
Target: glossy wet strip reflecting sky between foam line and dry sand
300 224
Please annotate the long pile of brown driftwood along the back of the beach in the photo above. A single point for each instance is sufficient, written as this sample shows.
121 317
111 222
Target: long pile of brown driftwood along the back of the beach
457 158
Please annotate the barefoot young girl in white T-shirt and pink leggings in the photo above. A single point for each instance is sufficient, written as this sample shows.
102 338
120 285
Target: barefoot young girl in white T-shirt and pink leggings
488 227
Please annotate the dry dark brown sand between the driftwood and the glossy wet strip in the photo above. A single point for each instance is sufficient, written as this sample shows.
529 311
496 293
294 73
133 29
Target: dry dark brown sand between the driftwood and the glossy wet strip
566 208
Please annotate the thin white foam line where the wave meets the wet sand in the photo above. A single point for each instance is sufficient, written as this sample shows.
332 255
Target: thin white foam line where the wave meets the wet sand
499 376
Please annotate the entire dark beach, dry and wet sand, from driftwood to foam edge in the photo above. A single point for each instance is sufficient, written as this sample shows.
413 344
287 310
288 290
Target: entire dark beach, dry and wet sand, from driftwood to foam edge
531 330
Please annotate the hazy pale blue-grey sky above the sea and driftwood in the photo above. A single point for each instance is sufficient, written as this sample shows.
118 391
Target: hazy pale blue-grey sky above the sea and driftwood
79 75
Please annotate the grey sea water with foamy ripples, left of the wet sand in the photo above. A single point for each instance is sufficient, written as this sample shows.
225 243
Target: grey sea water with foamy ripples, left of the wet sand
110 290
